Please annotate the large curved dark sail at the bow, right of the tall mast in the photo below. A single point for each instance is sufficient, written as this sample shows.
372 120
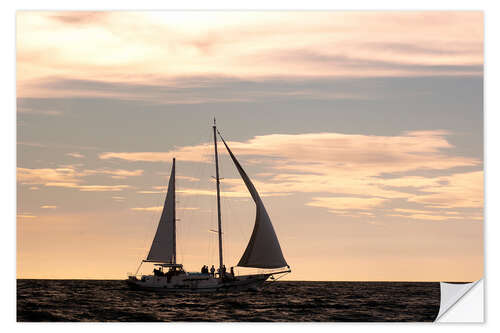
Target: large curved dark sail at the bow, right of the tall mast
263 249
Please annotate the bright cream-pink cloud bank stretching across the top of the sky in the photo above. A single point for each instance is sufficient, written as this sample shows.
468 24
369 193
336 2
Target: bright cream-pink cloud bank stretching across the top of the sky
161 46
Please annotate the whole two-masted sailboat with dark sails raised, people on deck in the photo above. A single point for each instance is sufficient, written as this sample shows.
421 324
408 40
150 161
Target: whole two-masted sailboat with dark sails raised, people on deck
263 251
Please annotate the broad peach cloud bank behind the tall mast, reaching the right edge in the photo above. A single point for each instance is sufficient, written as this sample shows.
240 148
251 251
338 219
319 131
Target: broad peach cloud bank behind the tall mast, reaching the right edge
345 168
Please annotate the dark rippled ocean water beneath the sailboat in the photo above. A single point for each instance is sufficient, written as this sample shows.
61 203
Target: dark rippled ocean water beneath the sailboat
280 301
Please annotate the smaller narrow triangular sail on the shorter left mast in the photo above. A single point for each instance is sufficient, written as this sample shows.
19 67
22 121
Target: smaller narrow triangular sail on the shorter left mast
163 247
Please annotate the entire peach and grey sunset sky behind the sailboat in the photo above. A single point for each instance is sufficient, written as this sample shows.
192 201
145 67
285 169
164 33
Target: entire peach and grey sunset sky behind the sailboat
362 131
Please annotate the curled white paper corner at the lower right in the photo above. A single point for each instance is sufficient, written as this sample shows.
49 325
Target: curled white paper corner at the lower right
461 302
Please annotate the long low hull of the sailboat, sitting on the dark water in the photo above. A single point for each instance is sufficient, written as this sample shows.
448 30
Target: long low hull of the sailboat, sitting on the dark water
200 283
